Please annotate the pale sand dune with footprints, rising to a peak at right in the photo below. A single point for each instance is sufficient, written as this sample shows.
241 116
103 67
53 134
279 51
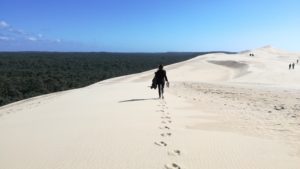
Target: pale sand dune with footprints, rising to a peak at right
221 111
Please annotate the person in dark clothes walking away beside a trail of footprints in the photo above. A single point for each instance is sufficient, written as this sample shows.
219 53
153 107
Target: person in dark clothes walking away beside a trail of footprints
159 80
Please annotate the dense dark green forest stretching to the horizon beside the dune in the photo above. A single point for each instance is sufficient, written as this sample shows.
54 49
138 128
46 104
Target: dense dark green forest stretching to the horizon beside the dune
28 74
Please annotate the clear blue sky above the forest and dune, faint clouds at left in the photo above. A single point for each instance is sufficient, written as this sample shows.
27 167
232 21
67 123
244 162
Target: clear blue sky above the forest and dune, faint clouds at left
148 26
